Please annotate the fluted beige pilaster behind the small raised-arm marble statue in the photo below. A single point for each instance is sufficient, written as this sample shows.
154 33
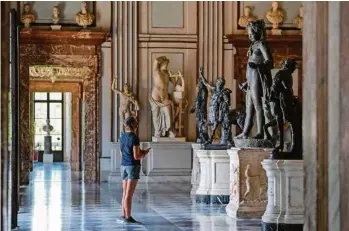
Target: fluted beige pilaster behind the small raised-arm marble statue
124 55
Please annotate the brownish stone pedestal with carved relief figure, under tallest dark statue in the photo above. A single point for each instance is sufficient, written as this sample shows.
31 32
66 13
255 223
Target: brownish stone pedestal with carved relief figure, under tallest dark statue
248 183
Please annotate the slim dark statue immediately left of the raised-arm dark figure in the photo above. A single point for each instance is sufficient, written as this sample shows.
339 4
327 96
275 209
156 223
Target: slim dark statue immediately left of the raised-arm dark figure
200 107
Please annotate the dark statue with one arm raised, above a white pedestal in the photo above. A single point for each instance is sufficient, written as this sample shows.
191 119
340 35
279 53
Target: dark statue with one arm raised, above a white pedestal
218 108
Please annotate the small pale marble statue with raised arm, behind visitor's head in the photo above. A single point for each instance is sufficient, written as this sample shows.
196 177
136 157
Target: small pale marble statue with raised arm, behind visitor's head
128 104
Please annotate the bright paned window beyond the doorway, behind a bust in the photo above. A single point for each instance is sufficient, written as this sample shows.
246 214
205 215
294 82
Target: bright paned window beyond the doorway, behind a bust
48 106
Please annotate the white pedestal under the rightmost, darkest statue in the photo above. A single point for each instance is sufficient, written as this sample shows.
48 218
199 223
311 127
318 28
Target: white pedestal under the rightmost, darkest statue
285 211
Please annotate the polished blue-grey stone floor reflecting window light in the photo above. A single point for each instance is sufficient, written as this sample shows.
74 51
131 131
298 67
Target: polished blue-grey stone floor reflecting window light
56 201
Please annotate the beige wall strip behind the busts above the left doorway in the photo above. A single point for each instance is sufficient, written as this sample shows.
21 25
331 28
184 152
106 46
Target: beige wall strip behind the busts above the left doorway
68 11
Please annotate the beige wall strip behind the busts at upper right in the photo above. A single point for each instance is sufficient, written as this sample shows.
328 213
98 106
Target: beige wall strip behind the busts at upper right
260 9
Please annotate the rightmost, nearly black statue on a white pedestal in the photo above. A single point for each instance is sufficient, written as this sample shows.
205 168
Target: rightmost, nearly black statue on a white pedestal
285 107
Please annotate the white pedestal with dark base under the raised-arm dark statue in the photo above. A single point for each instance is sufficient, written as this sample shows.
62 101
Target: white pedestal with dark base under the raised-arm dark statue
214 177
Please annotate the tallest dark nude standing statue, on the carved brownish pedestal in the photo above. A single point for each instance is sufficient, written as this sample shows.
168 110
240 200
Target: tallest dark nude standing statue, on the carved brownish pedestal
259 80
